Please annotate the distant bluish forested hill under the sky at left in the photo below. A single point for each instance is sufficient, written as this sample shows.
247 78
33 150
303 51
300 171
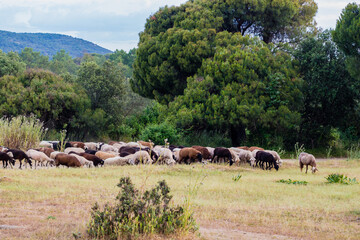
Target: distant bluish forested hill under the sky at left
48 44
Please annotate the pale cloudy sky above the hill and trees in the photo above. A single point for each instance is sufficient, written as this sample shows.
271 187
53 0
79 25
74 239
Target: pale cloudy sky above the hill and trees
109 23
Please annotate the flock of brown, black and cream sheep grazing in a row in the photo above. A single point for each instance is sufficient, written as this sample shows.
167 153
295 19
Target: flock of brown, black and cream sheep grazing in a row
91 154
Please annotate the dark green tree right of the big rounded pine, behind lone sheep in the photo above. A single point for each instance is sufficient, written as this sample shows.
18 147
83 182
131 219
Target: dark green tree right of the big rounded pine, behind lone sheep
330 93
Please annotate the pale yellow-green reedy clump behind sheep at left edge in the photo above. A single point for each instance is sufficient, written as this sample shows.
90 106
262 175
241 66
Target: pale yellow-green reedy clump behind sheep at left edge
21 132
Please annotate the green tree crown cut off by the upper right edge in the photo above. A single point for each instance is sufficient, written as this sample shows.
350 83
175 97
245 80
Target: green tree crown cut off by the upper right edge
347 37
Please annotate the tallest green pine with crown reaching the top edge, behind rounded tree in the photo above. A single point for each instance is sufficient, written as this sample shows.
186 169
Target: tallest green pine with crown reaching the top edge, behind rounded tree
177 40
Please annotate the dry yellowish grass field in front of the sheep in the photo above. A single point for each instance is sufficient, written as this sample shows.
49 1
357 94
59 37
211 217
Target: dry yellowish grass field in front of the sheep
55 203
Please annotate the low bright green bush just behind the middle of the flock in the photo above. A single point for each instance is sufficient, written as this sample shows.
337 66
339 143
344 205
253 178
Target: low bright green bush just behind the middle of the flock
159 132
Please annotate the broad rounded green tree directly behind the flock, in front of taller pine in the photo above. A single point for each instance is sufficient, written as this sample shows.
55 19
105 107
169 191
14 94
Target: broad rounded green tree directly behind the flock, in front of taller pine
248 87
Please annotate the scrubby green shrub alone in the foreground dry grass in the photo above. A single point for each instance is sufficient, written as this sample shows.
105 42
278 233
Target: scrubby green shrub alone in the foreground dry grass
137 213
